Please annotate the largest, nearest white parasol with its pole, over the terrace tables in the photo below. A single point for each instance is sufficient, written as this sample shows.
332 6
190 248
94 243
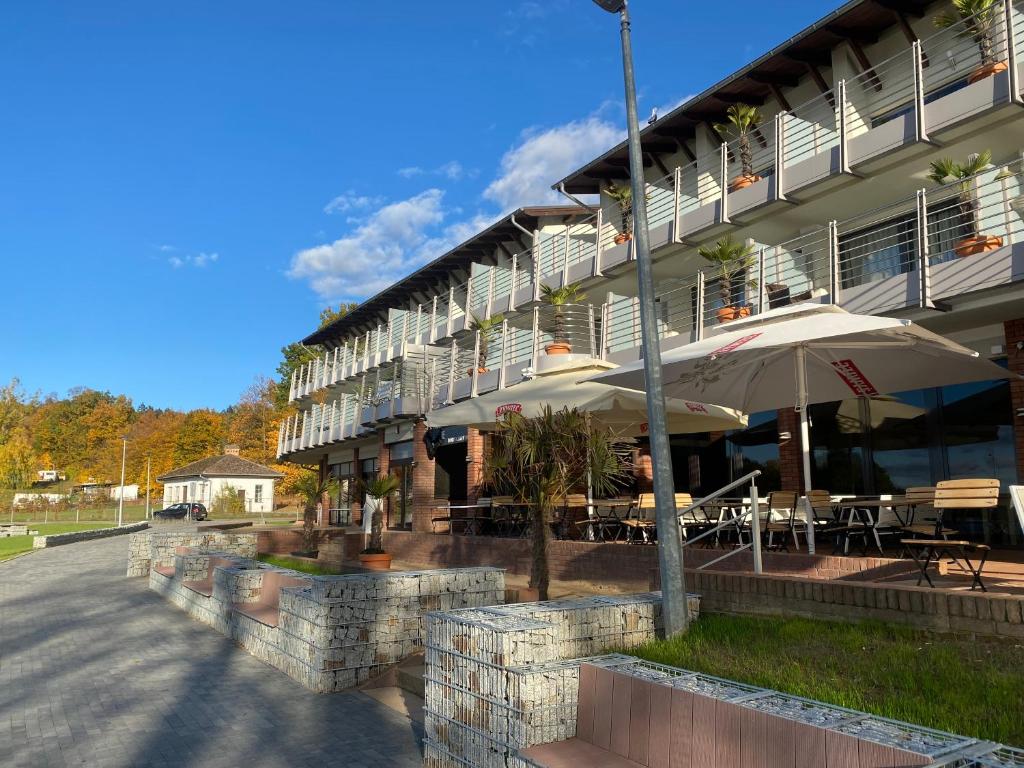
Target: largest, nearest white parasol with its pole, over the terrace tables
809 354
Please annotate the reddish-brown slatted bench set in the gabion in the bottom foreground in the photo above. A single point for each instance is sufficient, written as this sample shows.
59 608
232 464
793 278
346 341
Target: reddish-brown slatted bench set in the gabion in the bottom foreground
630 722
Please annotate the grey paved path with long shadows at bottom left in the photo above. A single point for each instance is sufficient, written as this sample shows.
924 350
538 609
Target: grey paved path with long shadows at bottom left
98 671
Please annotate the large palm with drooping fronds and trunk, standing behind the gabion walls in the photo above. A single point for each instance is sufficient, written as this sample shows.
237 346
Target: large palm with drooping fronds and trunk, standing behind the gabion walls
544 459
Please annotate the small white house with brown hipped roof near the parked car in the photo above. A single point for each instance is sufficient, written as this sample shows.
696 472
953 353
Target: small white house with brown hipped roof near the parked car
206 480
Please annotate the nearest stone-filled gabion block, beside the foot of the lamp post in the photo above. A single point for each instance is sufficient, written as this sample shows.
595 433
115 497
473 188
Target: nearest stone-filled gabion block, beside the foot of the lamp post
497 679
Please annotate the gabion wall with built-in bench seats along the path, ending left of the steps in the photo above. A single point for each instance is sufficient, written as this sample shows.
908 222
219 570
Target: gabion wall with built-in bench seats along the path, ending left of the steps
334 632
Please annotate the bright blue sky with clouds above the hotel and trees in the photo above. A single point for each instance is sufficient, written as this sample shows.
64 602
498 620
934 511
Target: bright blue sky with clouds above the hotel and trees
185 186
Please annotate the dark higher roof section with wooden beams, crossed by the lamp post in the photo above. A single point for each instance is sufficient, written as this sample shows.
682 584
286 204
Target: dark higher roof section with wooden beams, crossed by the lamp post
859 22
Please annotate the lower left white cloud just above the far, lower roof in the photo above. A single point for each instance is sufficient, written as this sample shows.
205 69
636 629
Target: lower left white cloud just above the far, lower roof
394 241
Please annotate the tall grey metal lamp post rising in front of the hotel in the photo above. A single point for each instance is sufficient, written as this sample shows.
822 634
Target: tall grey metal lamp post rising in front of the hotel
670 547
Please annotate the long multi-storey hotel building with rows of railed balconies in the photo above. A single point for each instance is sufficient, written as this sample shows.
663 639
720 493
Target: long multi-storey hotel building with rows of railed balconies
831 191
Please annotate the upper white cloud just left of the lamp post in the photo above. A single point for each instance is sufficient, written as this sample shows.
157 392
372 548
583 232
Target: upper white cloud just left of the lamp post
545 156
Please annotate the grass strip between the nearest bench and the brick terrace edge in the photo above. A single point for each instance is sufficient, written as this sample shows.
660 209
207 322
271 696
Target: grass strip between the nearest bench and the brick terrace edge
968 688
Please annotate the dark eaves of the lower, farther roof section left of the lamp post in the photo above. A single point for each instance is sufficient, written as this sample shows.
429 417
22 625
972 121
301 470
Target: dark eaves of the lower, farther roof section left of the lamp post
461 257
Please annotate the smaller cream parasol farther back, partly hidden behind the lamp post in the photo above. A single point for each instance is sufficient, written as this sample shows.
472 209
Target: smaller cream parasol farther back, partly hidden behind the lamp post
624 411
